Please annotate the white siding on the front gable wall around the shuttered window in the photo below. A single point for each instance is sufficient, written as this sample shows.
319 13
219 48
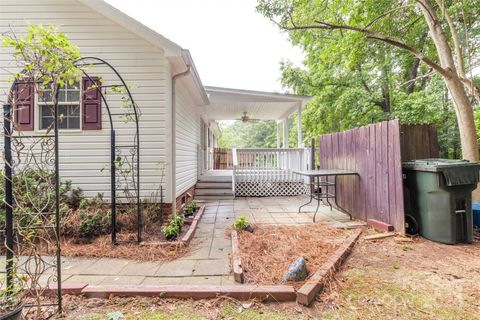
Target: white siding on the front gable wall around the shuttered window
83 154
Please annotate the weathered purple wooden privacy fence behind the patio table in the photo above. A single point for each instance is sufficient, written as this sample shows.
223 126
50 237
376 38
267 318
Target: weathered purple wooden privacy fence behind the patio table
376 152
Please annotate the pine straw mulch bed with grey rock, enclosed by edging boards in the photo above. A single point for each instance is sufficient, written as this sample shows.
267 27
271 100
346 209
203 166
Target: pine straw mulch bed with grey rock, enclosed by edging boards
267 252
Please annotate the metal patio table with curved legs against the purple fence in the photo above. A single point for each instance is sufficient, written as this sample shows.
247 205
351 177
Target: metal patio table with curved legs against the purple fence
318 193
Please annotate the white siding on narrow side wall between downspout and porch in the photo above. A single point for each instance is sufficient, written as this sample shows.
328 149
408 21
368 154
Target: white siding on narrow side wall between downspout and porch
187 139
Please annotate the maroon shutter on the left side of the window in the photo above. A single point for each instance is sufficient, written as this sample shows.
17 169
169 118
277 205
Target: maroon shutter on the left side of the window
24 105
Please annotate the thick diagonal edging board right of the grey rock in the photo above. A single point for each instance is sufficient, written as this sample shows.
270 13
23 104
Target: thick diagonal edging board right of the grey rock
306 293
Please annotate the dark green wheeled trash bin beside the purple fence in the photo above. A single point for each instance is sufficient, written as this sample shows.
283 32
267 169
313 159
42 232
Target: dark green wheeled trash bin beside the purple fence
438 197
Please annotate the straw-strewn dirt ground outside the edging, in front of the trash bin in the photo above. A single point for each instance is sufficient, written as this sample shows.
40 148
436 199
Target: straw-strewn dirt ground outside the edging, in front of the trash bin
384 279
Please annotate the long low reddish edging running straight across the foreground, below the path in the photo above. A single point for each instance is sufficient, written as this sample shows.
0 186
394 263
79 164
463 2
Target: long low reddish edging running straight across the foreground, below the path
245 292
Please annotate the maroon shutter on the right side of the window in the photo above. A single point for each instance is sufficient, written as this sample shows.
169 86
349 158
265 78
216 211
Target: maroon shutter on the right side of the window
91 104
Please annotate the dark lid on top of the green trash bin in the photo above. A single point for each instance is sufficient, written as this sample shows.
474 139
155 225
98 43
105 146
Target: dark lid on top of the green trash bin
456 172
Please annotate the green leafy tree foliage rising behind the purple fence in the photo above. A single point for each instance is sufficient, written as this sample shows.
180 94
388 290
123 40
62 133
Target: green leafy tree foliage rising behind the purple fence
355 81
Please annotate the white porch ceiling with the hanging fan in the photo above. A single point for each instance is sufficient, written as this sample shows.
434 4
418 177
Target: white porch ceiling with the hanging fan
230 104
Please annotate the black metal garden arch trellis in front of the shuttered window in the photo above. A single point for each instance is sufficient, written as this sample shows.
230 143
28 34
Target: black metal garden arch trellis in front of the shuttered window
43 150
